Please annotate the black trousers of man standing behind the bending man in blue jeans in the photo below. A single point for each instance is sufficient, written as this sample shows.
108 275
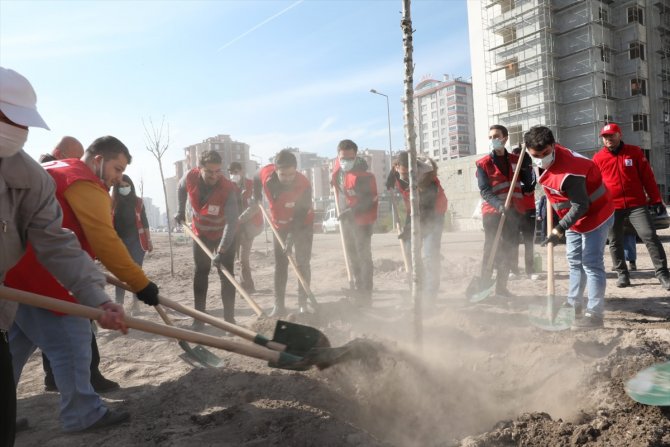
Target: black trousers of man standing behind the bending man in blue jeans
509 238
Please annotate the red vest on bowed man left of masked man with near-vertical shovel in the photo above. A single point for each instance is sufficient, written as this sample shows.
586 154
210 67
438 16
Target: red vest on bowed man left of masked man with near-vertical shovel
282 207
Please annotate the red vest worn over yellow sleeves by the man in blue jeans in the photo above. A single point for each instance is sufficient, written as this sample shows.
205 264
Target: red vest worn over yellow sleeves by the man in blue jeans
29 275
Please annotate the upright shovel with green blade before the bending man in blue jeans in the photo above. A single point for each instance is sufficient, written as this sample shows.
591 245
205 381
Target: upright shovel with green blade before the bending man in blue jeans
548 317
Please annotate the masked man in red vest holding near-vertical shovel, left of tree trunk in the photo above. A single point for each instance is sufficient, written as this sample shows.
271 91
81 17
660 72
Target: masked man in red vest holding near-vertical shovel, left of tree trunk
356 191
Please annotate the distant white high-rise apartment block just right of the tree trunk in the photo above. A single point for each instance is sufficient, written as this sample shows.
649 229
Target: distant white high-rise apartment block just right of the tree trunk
444 115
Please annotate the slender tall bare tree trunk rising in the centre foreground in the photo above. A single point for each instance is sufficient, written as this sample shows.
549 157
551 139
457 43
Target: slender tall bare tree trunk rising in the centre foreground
406 26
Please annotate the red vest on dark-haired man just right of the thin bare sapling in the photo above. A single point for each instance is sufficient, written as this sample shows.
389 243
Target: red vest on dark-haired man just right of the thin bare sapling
208 217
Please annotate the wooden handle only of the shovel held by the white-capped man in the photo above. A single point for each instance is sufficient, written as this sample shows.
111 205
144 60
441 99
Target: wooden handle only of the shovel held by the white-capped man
91 313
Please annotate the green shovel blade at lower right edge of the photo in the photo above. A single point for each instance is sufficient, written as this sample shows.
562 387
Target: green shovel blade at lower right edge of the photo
651 386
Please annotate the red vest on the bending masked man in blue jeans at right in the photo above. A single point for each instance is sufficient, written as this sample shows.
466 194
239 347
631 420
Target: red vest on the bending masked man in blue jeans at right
567 163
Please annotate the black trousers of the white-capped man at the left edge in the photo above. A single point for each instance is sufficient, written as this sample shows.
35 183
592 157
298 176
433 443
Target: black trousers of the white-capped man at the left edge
7 394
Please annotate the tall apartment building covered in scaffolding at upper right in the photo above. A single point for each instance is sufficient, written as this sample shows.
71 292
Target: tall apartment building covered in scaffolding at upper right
574 65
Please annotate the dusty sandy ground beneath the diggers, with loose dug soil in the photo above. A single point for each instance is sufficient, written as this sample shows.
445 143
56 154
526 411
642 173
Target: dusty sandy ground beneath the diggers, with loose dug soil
483 375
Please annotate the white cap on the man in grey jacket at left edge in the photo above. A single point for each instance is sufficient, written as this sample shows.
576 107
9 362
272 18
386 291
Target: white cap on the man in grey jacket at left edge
18 100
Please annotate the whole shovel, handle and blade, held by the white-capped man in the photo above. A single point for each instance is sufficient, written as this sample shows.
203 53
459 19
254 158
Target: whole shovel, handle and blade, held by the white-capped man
275 359
